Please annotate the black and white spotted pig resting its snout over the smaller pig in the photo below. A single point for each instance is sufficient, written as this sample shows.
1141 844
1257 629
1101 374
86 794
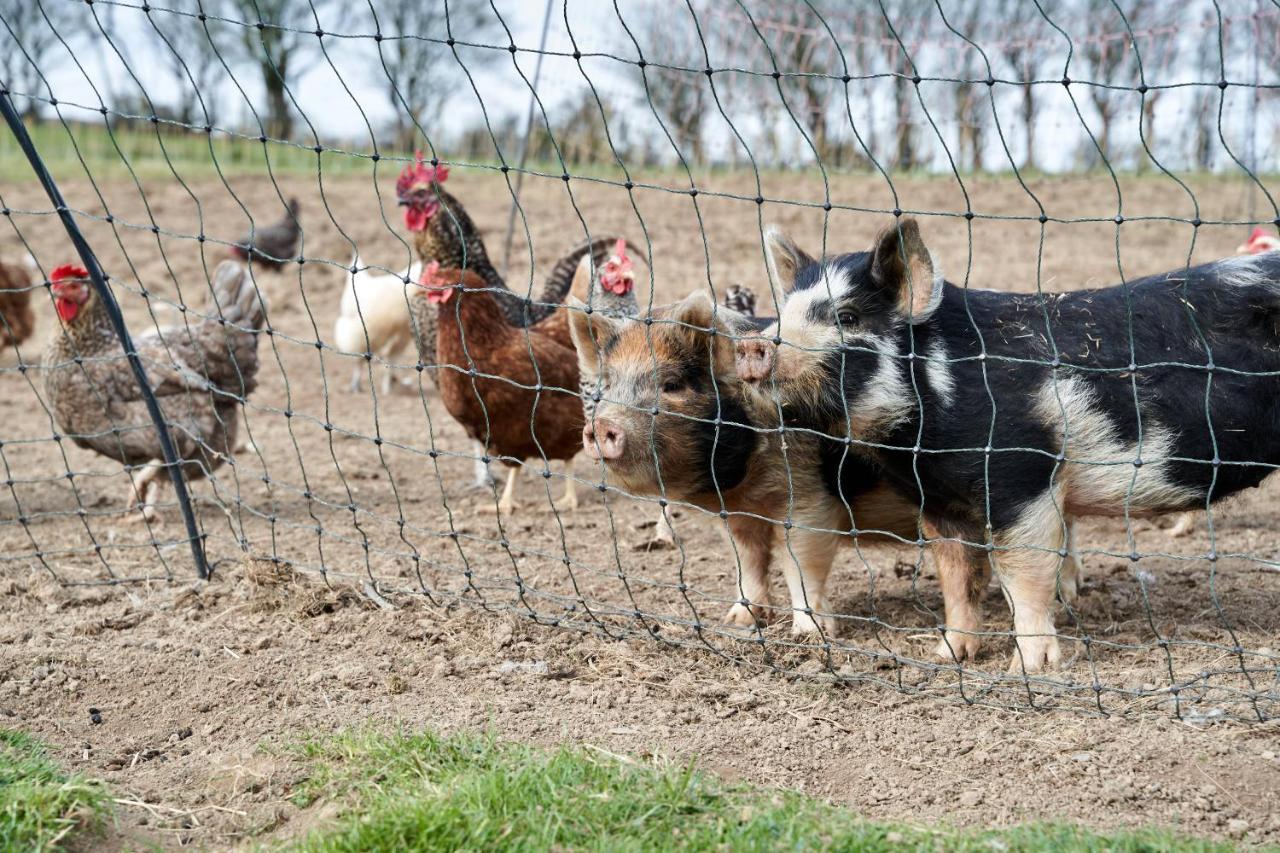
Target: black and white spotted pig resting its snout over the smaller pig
1009 414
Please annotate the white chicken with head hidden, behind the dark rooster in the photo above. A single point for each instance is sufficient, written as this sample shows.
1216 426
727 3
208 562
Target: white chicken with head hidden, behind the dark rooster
374 317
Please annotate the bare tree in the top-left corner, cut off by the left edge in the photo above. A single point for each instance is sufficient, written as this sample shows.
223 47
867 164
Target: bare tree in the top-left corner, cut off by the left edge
34 26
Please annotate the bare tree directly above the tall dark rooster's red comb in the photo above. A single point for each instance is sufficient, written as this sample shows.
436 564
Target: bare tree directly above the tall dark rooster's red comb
418 71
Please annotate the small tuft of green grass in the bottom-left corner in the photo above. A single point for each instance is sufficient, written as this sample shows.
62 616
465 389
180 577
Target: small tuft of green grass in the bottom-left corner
42 808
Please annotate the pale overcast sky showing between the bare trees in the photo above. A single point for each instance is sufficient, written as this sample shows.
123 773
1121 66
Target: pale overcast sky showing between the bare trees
339 116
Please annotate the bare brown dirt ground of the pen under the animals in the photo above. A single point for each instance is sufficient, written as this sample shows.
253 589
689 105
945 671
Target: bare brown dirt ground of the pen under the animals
193 679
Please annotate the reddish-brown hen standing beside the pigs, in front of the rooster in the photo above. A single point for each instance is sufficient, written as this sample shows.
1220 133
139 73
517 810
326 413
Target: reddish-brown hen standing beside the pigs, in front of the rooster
491 375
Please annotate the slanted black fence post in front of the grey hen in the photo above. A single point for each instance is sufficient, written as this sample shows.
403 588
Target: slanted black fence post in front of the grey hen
122 331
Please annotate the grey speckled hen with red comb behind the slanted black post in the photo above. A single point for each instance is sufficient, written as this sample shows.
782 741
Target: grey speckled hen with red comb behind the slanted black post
202 373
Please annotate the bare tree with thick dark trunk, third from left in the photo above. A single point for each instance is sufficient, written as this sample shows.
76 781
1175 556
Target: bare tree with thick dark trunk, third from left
282 48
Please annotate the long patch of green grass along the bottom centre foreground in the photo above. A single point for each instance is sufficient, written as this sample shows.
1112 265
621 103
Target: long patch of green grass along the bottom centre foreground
423 792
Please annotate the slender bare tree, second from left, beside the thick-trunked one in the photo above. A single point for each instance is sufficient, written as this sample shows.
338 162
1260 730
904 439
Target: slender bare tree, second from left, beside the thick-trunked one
191 52
